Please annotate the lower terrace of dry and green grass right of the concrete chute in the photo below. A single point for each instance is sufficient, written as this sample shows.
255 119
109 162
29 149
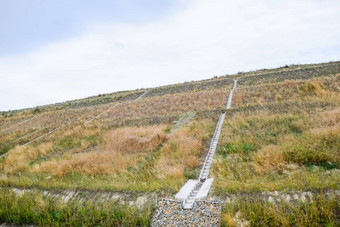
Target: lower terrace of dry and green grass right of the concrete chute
263 150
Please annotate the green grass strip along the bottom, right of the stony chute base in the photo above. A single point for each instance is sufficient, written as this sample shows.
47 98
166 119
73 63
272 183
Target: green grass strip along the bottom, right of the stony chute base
321 212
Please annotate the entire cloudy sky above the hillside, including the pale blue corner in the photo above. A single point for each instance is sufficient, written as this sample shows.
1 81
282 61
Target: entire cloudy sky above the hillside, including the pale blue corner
57 50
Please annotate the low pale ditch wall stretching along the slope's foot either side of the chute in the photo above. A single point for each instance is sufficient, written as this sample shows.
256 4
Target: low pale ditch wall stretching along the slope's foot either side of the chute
151 199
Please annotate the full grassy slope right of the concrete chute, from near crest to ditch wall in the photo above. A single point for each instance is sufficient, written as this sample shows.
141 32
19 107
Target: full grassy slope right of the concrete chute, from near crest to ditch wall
290 142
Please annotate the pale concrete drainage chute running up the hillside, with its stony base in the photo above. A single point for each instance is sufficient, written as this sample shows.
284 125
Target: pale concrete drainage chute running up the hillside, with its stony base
190 206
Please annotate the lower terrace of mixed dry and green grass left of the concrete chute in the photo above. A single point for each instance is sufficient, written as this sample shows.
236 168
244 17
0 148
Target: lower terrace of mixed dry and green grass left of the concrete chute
129 158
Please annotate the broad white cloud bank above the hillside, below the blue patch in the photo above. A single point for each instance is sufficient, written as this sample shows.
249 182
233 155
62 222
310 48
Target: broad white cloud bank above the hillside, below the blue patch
205 39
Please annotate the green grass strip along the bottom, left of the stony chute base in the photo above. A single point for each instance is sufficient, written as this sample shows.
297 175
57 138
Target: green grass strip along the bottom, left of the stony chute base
33 208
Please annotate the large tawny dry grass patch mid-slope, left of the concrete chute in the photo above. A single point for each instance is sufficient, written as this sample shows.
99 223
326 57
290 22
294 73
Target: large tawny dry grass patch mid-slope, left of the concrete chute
124 148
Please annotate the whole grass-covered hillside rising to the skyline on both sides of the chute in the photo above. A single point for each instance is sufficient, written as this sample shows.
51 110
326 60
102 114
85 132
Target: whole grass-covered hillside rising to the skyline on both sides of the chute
281 134
